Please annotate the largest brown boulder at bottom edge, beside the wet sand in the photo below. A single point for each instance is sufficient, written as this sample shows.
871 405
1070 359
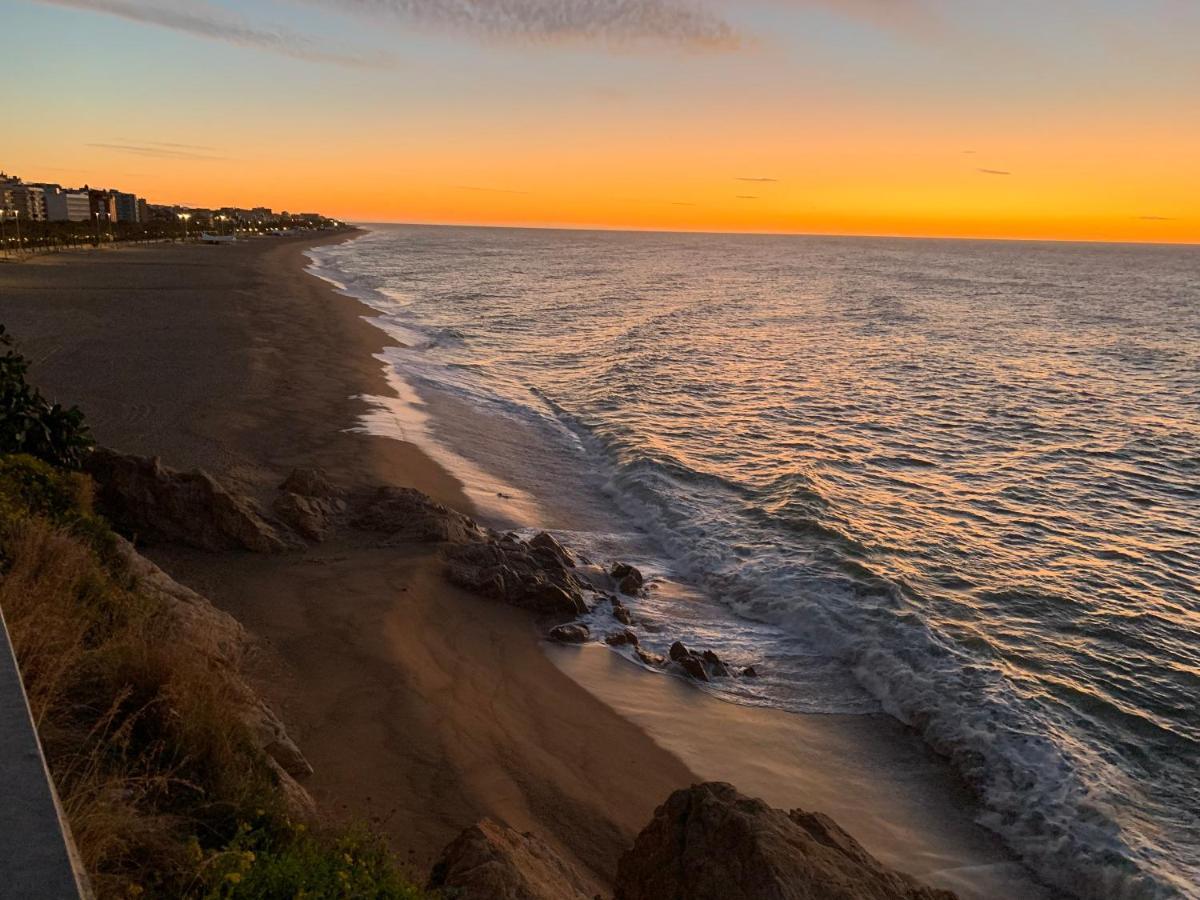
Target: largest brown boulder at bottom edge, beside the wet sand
711 843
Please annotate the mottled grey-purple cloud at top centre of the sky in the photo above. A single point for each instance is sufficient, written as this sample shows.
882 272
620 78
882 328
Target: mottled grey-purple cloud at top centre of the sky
673 22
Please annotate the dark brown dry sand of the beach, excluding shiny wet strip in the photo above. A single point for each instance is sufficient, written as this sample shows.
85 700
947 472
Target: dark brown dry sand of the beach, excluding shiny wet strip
421 707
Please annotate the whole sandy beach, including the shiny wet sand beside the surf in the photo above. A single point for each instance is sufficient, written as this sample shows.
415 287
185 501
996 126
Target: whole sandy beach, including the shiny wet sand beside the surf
422 707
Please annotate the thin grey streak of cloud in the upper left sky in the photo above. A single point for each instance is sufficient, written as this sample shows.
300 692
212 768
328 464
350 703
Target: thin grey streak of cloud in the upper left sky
217 25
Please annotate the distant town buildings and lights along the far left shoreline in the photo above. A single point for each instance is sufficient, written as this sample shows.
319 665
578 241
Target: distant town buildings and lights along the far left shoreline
41 217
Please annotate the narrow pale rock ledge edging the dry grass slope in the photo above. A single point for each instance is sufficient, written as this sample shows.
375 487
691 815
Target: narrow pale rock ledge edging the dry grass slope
220 639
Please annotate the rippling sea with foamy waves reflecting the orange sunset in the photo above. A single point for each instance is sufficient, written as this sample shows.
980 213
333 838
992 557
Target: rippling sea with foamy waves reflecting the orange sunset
958 483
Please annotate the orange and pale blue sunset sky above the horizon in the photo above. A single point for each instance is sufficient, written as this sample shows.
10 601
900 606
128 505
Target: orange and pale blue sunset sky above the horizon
1072 119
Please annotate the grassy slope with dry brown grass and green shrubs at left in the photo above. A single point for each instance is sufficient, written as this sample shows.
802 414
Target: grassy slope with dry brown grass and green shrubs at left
163 785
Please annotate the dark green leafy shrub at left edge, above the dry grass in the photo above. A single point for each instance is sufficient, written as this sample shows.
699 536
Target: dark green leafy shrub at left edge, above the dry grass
31 424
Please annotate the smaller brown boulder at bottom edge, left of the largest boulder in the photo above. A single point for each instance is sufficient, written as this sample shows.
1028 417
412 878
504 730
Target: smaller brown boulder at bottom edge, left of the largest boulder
494 862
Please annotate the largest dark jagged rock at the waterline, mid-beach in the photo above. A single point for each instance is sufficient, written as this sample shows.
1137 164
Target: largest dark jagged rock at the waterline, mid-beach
517 573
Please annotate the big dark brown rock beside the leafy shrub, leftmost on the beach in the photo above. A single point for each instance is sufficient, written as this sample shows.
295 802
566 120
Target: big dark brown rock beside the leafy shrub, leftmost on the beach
143 497
